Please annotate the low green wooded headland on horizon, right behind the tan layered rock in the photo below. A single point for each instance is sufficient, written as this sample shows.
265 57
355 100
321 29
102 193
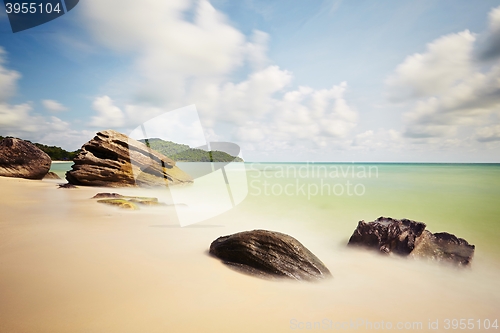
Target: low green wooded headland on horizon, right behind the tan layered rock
184 153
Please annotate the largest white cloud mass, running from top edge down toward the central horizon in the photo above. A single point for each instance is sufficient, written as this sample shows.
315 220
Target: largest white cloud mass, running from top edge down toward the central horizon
182 62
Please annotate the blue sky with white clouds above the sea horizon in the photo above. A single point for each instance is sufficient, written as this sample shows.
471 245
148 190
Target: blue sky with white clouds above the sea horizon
286 80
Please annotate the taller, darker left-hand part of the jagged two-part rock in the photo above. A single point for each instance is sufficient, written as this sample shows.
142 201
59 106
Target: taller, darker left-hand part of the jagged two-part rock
388 235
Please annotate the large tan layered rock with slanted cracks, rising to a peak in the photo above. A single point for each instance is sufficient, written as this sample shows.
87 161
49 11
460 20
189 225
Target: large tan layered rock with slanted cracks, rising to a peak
112 159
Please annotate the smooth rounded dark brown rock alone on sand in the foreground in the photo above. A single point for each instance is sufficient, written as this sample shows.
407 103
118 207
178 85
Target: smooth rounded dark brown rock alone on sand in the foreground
270 254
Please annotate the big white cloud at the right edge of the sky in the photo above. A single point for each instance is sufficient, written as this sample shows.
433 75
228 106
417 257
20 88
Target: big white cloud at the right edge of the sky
449 92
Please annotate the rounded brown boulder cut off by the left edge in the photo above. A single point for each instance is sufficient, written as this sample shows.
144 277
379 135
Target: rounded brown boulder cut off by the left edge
22 159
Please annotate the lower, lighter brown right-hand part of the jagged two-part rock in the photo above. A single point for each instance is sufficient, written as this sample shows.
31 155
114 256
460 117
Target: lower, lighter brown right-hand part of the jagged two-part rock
444 247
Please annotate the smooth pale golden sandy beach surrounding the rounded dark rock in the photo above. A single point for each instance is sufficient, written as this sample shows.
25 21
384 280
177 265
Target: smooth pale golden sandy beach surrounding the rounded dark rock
69 264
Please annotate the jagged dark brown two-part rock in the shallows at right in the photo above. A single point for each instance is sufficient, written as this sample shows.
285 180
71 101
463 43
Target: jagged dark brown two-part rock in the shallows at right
406 237
